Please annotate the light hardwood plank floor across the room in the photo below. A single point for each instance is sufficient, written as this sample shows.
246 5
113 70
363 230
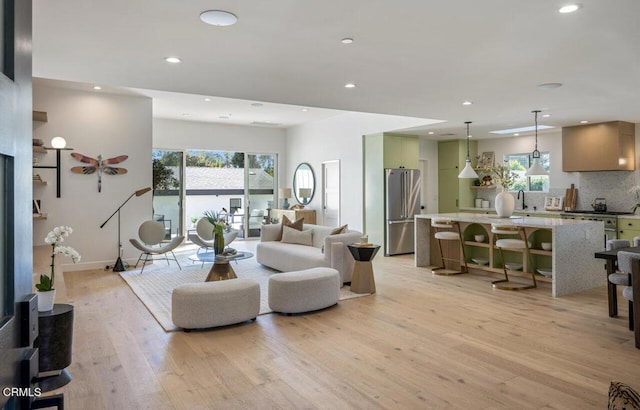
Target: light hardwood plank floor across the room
422 341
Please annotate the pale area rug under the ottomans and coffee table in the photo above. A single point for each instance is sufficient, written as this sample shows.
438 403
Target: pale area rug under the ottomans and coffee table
156 283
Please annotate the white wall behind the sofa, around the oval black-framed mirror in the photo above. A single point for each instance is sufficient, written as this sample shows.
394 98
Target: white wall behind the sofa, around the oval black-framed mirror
339 138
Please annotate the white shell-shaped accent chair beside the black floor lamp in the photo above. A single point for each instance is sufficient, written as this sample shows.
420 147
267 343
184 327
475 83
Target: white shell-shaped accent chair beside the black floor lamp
152 233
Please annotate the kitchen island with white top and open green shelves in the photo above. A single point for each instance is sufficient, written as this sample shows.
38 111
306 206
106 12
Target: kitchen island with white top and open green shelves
571 260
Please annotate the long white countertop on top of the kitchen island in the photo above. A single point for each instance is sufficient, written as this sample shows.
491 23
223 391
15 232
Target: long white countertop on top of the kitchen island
528 221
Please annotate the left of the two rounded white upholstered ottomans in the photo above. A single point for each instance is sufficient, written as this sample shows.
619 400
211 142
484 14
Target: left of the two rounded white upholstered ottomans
218 303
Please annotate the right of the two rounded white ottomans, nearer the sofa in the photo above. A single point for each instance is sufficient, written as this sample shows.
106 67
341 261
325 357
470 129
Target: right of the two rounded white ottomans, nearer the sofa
304 291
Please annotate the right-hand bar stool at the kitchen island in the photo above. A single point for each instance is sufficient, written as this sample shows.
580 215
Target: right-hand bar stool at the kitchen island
512 244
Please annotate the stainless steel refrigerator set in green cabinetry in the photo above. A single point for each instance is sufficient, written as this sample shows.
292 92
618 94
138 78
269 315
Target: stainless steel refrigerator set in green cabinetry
402 202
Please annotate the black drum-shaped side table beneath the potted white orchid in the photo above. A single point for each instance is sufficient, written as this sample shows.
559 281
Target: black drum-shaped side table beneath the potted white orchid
54 343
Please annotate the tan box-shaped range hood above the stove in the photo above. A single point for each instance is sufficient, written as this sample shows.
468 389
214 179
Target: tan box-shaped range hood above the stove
607 146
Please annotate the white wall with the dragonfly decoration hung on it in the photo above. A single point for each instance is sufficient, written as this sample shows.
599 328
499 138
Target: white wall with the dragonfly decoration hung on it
93 123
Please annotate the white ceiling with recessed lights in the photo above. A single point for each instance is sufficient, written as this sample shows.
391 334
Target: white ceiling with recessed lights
411 58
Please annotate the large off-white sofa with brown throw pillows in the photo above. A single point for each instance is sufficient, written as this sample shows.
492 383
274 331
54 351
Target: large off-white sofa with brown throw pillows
326 251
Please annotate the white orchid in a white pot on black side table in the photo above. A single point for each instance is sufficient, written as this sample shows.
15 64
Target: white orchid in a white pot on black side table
45 288
